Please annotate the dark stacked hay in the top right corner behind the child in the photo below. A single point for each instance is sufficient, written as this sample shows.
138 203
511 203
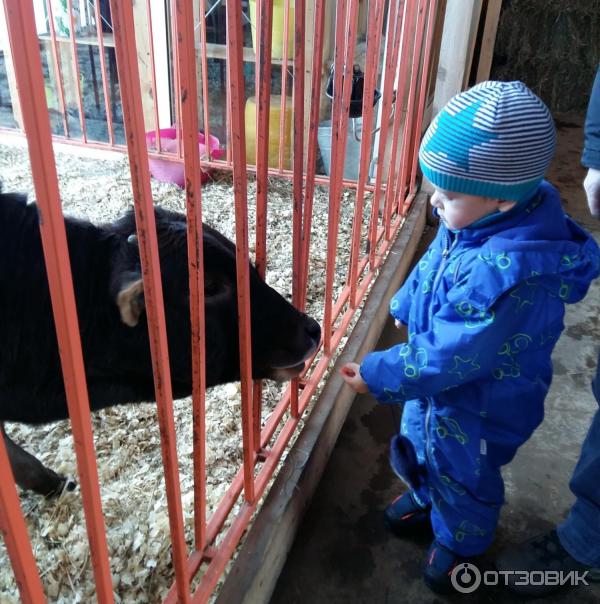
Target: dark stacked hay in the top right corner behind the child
551 45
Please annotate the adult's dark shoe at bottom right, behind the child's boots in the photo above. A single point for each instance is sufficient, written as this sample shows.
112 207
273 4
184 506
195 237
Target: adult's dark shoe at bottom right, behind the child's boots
542 553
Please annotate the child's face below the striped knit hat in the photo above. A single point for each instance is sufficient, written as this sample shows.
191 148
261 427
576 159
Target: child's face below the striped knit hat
459 210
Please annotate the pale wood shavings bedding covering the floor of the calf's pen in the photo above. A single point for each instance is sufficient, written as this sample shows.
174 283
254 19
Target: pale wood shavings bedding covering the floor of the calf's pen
127 438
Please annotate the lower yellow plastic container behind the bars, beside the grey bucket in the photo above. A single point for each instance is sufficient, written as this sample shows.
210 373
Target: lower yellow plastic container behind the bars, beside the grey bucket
274 130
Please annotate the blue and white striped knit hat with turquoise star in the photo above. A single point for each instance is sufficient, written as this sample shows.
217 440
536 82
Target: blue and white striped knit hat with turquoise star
495 140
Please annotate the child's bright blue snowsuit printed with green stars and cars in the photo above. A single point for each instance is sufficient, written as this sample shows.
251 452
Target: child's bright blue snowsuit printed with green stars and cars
484 309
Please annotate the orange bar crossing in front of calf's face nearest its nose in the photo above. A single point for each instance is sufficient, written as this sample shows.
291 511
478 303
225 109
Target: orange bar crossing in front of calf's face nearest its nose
240 188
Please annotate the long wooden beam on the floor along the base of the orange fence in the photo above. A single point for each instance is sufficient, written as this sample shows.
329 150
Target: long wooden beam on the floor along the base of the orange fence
254 573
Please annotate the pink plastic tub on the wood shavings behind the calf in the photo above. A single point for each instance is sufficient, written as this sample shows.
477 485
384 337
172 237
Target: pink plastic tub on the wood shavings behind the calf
173 171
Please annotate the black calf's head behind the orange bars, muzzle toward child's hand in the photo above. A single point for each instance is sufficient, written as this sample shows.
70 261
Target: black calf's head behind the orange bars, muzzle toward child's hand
282 337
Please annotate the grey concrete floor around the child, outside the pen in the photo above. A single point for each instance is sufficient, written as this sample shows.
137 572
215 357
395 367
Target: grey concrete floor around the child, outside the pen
344 554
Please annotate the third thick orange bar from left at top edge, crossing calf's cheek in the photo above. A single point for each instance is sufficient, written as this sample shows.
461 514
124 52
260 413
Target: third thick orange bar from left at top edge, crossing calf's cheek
184 27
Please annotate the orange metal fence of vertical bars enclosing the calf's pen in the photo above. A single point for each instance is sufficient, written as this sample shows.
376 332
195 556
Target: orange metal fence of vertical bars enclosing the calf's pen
397 57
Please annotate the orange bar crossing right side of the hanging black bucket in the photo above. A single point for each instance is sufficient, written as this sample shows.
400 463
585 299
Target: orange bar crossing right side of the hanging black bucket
371 71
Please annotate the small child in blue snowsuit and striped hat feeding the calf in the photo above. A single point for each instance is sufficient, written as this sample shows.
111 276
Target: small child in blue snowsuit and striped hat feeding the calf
484 308
